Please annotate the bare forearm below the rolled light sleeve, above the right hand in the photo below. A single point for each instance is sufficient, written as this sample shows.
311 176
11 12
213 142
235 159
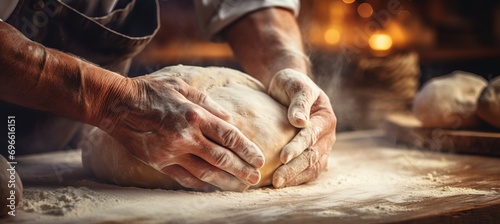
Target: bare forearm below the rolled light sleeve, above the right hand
267 41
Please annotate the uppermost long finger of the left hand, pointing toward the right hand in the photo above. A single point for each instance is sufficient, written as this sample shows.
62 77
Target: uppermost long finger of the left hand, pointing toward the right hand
231 138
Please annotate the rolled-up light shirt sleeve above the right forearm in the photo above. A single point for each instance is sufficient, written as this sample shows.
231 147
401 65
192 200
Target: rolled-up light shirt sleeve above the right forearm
214 15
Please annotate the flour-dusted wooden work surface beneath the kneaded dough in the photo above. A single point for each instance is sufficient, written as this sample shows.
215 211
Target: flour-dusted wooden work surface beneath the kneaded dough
369 181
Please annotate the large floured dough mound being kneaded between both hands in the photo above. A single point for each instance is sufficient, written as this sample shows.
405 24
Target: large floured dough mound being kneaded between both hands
259 117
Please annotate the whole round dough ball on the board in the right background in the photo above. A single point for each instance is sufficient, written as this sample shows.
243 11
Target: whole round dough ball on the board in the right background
449 101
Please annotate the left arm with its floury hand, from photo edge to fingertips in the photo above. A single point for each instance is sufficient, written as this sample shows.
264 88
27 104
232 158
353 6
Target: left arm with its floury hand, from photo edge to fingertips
162 121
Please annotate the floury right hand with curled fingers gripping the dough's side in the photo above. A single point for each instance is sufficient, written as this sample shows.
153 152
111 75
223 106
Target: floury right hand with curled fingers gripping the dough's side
309 108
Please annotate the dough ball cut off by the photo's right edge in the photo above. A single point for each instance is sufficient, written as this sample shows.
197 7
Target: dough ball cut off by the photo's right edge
488 106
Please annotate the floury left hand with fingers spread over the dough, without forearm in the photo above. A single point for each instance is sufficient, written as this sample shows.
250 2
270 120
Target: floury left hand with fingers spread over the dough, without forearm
180 131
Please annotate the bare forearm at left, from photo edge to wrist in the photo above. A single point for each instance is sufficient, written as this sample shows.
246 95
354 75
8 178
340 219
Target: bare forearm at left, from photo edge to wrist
40 78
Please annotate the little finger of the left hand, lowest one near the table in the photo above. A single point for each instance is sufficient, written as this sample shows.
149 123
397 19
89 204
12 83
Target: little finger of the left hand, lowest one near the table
186 179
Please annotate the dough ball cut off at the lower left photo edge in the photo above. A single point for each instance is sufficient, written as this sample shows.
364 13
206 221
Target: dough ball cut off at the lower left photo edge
5 188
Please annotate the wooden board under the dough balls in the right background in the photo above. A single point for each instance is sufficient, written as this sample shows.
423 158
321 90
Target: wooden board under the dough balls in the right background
405 128
